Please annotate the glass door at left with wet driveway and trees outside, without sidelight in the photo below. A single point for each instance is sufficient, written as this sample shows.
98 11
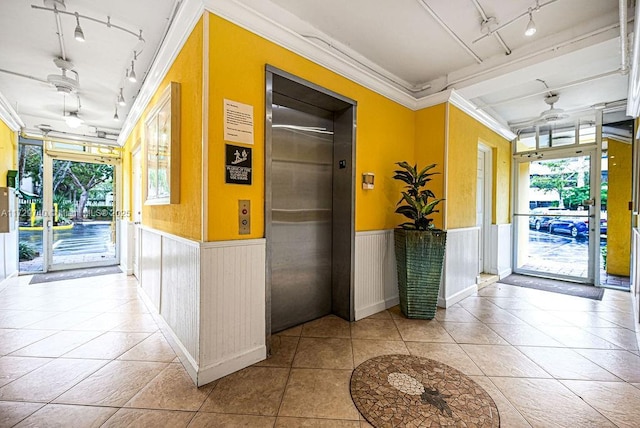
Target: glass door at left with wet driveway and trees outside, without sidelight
81 222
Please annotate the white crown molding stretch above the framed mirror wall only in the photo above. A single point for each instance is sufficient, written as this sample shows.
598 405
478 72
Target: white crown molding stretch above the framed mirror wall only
185 21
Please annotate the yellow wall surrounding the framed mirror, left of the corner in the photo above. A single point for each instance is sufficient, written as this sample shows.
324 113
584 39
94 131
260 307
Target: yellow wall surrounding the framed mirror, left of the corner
183 219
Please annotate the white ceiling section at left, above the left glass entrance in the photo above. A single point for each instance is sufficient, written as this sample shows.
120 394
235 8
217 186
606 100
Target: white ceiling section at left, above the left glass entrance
30 44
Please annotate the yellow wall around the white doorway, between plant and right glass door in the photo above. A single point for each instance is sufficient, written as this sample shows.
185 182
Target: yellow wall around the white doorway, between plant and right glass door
465 133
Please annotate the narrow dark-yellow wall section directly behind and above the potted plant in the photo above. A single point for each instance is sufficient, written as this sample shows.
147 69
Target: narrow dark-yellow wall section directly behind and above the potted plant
430 148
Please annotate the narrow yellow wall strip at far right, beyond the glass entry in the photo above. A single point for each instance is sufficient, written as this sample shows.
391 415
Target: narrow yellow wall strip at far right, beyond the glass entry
618 213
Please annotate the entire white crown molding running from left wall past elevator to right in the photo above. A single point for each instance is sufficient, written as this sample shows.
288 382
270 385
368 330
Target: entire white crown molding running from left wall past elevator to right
262 25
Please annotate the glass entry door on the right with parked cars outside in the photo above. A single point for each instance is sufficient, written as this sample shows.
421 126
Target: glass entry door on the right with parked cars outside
556 211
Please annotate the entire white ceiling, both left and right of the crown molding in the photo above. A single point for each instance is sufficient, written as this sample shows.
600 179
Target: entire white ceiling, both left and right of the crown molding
403 44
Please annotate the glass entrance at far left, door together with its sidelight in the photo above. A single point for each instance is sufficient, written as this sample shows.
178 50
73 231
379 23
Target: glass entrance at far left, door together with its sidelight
67 207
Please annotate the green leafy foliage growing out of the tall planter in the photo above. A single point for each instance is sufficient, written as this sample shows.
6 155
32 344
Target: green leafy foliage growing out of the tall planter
417 202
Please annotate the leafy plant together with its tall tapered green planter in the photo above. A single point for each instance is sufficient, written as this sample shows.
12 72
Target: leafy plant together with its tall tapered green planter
419 245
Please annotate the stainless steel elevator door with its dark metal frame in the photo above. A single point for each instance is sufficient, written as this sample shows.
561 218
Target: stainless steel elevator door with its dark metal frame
309 202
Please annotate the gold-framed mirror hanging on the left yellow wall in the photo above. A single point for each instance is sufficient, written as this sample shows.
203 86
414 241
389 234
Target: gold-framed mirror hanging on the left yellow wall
162 138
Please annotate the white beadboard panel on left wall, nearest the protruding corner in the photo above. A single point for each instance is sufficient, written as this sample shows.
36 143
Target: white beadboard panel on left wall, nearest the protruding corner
180 291
